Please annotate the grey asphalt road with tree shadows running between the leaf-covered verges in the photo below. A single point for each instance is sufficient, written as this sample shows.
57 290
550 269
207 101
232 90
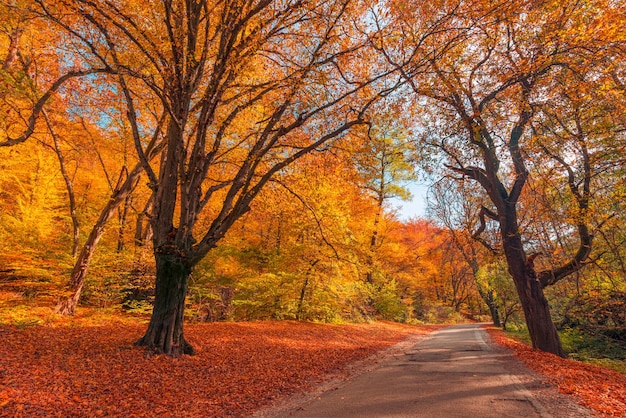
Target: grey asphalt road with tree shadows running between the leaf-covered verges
453 373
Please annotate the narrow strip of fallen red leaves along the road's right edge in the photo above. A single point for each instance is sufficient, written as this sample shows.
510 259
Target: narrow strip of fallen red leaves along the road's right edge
600 389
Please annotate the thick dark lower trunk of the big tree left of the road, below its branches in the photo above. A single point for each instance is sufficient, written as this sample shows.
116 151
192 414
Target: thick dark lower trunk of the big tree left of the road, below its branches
165 331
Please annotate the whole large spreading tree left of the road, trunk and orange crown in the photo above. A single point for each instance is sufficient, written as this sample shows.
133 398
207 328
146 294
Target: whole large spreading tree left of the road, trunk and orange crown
247 91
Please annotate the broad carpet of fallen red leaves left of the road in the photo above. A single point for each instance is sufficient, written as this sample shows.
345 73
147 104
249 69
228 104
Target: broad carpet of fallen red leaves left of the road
96 371
